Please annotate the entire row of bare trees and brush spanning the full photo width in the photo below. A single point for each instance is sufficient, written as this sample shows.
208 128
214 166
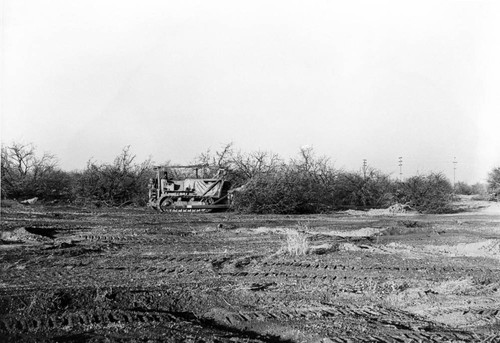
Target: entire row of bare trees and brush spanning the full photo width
263 182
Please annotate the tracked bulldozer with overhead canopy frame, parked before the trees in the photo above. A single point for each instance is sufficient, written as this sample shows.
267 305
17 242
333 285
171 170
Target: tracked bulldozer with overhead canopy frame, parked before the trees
190 194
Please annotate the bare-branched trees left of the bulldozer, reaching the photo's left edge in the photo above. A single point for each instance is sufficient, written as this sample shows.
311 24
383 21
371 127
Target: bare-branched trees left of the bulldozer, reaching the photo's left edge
26 175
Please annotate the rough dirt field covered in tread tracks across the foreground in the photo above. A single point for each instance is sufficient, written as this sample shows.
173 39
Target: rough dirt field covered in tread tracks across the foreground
131 275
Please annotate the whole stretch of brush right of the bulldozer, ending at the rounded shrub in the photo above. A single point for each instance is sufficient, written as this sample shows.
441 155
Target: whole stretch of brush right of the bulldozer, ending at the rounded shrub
310 184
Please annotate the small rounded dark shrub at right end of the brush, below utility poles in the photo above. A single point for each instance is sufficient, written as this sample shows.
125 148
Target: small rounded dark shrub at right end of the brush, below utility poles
426 193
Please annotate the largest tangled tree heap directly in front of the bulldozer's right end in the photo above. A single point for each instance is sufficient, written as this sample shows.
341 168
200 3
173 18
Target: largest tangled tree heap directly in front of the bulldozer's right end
311 185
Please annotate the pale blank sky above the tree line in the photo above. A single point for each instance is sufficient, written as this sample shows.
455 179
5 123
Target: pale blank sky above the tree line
355 80
